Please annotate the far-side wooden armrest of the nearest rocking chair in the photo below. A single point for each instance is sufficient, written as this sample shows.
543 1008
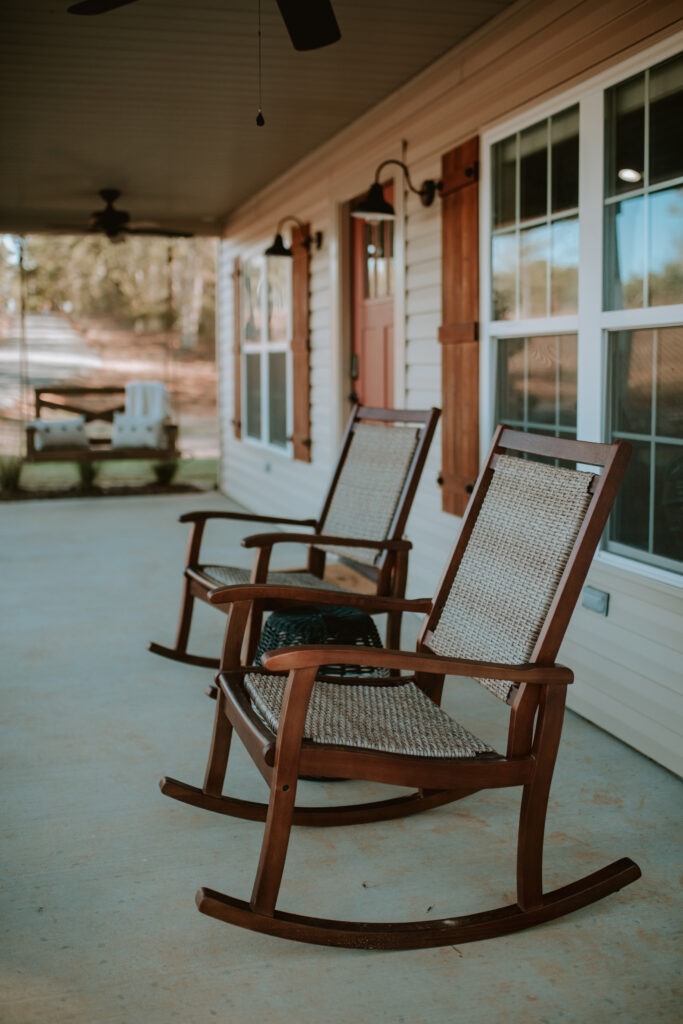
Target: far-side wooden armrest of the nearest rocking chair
371 604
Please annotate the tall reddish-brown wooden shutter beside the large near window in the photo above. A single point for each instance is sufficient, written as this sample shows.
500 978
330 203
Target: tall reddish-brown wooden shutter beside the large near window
460 328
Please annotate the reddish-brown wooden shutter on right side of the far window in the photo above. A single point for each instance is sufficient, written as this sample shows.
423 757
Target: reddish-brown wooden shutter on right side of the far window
302 343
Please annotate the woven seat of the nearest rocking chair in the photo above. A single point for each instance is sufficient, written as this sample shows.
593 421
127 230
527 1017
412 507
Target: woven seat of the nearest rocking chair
394 719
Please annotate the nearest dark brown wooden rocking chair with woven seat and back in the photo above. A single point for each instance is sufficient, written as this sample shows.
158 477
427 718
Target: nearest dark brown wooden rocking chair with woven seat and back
499 616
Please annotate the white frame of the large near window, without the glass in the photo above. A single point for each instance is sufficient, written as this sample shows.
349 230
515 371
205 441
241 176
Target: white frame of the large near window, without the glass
591 324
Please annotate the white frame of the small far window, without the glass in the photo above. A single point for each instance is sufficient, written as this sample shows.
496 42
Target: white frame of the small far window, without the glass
265 348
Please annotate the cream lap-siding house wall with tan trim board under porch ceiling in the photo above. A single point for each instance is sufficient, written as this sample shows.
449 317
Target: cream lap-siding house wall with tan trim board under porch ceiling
627 665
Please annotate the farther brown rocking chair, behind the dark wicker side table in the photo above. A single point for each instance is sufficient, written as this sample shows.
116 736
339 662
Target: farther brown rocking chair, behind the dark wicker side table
364 518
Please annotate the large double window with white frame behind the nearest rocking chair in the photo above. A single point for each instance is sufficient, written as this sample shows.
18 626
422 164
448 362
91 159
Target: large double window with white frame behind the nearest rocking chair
583 296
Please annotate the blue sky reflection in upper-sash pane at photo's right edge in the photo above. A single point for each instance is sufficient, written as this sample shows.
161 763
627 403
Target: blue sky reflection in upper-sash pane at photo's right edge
666 246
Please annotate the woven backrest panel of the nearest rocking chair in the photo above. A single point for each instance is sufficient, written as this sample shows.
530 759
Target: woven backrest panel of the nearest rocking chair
513 566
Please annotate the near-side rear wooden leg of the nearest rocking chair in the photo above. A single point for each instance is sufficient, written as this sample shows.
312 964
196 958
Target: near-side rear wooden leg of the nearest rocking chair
535 801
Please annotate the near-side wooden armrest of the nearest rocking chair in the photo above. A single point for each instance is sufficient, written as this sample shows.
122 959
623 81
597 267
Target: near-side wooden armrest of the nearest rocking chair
314 655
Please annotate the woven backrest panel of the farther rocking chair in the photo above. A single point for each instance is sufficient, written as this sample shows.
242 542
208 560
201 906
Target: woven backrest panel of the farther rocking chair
370 486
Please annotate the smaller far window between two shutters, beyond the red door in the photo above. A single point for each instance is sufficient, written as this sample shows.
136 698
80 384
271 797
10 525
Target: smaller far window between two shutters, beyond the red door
267 337
